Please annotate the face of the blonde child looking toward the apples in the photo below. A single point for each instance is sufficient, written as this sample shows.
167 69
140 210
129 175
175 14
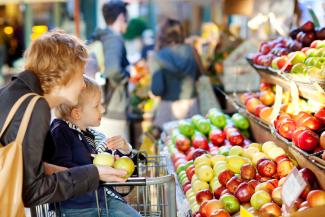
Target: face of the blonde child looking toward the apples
91 112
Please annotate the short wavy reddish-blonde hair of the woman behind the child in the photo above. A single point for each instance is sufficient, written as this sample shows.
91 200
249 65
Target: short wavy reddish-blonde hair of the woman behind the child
55 57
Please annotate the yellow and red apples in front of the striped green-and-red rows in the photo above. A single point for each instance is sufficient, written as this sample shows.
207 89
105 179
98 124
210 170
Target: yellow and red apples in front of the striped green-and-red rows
216 185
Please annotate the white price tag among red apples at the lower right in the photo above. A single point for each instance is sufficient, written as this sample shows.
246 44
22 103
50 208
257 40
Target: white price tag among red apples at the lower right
292 187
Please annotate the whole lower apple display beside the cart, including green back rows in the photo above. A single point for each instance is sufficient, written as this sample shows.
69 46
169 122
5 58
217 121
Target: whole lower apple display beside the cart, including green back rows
221 172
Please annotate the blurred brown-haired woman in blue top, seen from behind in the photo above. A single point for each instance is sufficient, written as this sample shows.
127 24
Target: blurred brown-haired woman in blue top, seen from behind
175 72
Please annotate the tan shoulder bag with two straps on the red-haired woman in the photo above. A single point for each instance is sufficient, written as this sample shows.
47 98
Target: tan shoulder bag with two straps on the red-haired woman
11 162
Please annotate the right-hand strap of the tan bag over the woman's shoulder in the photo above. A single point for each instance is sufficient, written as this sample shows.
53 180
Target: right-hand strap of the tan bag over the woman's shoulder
24 123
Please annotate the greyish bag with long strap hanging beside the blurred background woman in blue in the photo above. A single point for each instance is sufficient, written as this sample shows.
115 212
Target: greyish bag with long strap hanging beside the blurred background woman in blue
206 96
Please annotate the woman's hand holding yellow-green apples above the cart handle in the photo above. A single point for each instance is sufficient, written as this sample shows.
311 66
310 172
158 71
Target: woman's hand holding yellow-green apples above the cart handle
109 174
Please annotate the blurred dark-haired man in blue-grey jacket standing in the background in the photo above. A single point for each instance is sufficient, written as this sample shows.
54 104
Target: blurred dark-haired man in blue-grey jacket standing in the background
116 67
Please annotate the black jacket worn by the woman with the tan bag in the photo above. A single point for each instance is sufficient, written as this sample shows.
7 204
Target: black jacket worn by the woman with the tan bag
39 188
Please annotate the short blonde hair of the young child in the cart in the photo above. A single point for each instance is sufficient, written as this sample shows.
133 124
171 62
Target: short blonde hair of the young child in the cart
92 89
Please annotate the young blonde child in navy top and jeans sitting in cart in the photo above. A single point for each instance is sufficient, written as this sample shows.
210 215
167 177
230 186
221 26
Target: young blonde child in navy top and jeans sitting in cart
75 142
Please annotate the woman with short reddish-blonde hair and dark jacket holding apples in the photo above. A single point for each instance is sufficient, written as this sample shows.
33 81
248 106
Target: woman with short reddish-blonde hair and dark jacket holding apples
54 65
